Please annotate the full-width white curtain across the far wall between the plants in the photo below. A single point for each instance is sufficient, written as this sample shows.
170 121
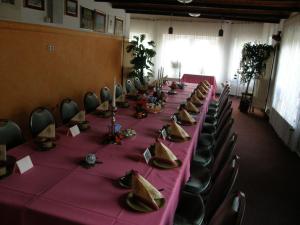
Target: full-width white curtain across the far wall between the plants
198 48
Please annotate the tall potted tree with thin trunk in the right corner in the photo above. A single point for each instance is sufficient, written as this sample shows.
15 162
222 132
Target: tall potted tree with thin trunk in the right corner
252 66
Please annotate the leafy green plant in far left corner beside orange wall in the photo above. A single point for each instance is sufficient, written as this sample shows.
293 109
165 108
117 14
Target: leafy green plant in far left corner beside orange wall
142 56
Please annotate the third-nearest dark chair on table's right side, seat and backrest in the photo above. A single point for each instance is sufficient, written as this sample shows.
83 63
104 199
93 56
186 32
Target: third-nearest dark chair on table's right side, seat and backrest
202 178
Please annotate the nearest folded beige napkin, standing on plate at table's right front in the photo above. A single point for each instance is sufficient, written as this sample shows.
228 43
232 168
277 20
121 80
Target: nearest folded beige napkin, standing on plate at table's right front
145 191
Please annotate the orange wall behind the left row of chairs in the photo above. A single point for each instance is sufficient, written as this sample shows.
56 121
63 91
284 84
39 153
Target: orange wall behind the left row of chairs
31 76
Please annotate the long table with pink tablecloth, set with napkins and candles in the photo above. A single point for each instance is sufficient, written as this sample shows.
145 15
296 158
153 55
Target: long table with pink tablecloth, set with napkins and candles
59 191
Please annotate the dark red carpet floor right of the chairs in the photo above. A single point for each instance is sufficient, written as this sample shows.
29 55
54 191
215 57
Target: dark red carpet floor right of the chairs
269 172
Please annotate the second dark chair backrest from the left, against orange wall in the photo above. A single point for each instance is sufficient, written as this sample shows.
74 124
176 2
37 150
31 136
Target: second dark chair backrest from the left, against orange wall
39 119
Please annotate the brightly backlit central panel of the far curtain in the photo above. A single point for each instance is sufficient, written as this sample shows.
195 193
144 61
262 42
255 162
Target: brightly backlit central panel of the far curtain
196 54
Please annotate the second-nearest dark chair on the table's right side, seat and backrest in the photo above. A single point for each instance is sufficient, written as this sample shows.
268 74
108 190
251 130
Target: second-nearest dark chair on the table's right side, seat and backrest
192 210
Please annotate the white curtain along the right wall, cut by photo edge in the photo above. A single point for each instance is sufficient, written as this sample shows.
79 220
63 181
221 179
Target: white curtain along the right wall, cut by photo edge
286 99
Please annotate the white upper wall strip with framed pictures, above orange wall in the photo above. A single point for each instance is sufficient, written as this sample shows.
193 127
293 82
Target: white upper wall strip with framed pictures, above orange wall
23 14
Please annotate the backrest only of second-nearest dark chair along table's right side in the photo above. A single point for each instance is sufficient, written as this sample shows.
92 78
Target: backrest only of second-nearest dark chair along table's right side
222 187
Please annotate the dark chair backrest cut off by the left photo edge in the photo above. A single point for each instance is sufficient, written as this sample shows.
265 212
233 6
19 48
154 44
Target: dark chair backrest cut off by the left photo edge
10 134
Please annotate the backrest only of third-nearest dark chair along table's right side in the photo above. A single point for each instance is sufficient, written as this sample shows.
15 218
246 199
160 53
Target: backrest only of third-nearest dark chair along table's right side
225 154
